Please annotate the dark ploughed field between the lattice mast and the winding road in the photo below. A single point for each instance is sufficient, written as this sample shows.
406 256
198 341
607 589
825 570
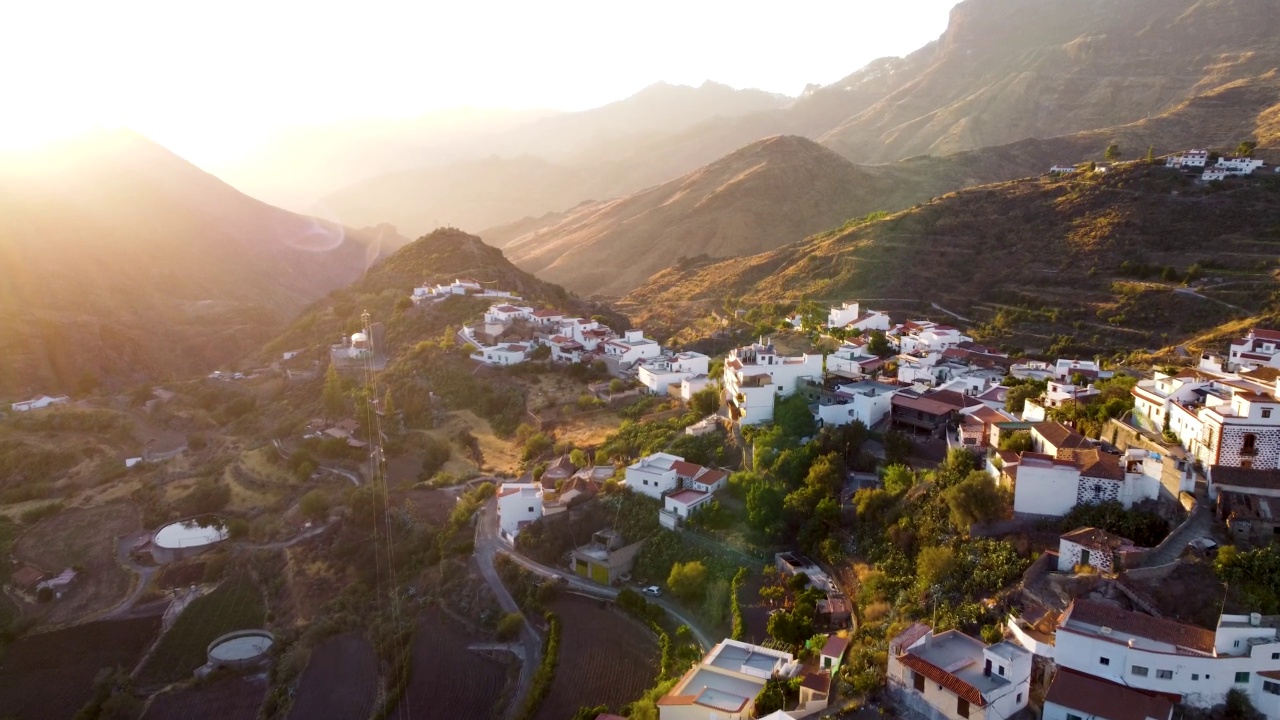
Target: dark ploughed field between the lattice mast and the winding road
442 664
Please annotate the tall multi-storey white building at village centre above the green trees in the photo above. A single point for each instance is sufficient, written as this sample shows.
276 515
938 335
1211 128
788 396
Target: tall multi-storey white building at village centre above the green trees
756 376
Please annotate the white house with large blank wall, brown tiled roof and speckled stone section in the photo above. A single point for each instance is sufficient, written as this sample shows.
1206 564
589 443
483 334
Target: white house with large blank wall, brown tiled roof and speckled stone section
1052 486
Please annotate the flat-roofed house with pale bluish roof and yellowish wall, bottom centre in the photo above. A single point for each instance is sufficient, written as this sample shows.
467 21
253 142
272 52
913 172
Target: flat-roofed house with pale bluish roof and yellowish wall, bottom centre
724 686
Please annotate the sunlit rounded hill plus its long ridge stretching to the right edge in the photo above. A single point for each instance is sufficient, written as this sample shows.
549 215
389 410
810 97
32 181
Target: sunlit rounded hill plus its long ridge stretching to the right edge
780 190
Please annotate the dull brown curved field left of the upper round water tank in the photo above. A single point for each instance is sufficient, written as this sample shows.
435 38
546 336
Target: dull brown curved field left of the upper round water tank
85 537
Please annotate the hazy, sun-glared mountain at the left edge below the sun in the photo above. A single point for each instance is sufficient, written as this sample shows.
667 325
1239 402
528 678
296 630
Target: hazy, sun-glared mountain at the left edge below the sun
126 263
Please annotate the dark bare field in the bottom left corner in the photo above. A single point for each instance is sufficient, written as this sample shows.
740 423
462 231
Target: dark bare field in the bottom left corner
51 676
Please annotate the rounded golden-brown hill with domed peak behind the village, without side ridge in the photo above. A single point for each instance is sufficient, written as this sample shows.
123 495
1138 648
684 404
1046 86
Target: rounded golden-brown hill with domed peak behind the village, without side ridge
738 206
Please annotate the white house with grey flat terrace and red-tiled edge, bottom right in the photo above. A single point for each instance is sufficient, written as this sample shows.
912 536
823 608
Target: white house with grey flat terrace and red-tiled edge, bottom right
956 677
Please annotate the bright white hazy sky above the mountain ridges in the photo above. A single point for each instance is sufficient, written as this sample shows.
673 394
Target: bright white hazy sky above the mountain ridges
213 79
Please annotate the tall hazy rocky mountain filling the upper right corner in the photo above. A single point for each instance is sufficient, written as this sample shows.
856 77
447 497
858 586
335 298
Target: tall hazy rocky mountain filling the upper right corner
1037 69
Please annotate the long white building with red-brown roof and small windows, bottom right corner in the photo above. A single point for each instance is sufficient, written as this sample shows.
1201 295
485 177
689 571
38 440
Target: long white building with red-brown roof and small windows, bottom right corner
1158 655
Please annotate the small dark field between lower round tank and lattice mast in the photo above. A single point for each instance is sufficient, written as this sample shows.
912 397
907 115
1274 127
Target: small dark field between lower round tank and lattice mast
340 682
